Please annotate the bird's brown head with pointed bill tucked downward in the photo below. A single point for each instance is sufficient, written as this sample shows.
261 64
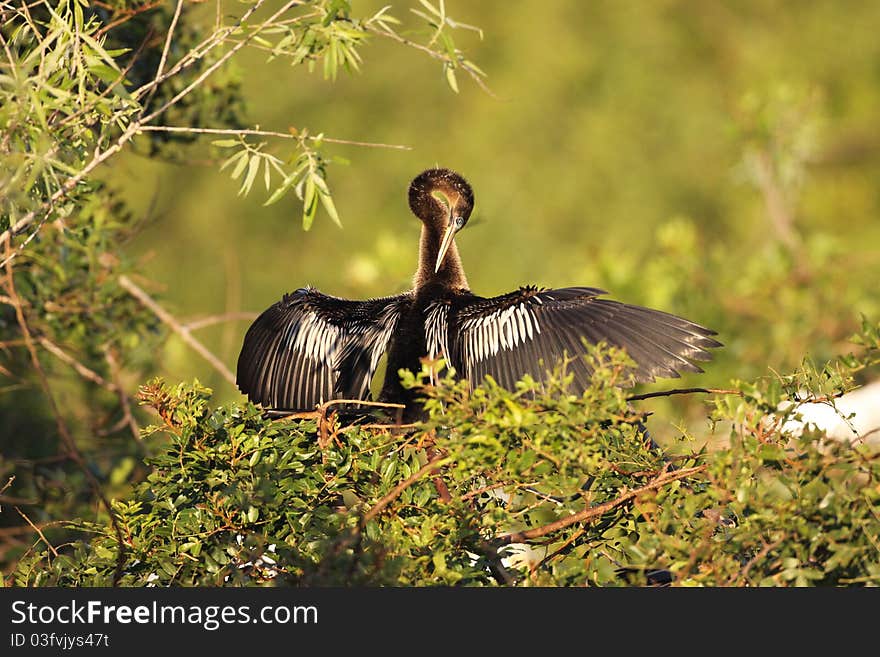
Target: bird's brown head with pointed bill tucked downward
443 200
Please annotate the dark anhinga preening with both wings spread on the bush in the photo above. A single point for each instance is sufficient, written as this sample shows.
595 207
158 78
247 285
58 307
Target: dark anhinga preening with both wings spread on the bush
309 347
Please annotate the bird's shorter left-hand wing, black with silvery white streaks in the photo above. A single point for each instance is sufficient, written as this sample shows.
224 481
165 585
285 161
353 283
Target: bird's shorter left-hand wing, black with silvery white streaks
310 347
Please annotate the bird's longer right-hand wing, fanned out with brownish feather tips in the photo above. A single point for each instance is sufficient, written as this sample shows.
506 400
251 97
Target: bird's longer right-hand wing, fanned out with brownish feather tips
529 330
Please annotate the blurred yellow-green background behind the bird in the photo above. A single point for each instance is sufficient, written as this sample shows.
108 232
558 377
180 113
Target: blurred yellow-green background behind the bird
634 146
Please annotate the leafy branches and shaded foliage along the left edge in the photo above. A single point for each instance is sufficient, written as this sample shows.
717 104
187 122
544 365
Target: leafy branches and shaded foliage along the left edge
81 83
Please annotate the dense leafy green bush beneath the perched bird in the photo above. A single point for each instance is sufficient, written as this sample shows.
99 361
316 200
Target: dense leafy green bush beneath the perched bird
531 487
